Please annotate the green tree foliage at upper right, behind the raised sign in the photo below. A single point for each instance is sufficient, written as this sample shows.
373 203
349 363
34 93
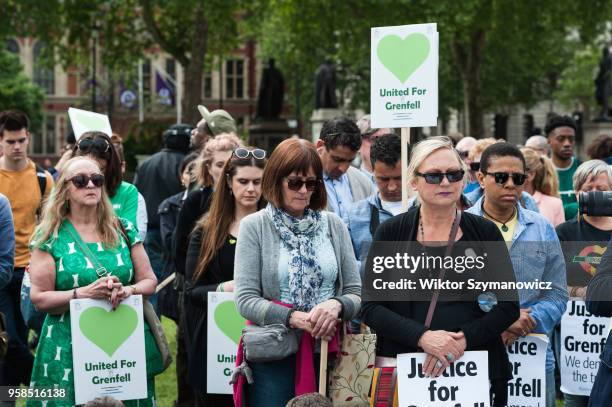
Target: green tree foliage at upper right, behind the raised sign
494 54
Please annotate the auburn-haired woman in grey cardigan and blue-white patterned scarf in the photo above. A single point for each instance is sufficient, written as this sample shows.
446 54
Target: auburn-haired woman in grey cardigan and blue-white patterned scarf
294 266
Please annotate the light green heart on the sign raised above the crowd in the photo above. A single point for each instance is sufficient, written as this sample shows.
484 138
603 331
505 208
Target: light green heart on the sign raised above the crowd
403 57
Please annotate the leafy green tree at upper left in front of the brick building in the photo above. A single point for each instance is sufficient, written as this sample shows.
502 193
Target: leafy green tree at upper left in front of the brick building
188 30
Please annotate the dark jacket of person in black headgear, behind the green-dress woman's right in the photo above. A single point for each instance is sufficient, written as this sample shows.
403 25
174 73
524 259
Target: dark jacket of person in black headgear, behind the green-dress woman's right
157 179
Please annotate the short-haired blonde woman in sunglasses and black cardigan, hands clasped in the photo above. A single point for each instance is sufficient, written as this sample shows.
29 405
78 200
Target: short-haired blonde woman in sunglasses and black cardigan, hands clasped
437 173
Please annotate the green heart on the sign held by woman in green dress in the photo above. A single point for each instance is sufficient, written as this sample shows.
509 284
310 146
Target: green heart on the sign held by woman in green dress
108 329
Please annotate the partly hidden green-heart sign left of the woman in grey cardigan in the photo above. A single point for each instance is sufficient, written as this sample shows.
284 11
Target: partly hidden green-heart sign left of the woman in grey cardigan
224 330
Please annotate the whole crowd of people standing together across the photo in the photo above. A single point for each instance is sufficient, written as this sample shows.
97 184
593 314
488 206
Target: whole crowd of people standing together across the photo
289 232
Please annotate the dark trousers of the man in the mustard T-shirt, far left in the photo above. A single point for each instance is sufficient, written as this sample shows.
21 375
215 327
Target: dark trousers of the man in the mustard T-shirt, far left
18 362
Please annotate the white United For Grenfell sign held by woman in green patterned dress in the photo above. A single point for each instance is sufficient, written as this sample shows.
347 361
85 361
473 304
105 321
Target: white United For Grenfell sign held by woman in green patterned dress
108 350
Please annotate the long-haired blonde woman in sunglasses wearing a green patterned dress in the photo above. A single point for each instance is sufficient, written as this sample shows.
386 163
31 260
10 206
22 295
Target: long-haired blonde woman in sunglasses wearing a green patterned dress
79 228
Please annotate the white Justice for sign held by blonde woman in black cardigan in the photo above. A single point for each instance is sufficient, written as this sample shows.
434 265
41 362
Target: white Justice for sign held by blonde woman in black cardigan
464 383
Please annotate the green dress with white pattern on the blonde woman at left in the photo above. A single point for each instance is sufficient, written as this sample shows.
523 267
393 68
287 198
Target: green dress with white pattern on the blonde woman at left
53 363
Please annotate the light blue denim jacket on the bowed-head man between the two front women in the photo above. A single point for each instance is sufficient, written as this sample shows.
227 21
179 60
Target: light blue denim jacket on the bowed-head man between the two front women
359 224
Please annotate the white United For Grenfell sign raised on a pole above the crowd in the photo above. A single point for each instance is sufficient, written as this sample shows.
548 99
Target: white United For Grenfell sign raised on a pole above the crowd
404 76
